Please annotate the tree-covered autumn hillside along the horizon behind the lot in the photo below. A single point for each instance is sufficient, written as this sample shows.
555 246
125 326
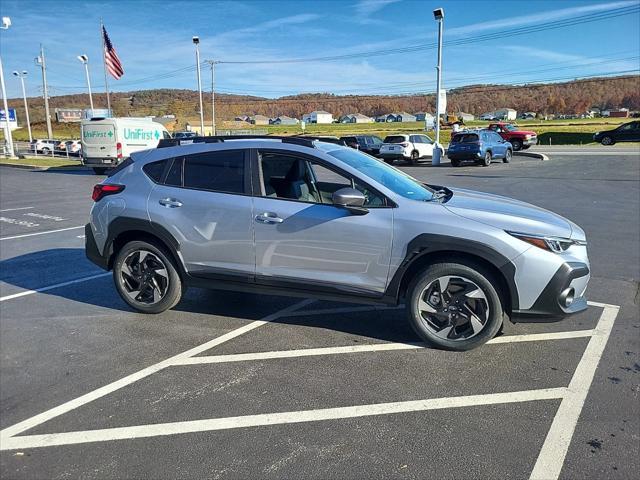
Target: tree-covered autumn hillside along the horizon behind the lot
568 98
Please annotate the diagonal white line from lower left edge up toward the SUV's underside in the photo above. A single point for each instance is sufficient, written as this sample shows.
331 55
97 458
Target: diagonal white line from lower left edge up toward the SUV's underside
20 427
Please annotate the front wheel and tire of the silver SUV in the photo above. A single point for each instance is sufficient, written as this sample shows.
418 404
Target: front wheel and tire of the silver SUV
454 329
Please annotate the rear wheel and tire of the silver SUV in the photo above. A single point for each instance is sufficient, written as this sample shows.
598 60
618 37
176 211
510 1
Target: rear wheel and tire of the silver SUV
142 264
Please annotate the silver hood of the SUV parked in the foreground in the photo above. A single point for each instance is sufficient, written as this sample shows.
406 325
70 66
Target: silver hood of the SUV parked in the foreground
508 214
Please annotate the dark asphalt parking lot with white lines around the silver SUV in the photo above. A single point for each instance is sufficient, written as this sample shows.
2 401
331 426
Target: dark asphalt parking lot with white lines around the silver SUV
230 385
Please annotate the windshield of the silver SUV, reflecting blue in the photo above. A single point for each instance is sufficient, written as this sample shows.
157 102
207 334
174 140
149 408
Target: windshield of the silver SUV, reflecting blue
392 178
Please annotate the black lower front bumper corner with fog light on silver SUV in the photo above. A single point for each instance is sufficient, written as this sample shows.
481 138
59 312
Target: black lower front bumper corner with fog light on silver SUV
569 282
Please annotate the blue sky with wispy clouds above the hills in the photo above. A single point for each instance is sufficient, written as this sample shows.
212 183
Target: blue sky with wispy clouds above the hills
153 40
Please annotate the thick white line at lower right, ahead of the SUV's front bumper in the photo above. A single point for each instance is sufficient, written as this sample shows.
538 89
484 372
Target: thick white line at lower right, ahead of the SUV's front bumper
555 447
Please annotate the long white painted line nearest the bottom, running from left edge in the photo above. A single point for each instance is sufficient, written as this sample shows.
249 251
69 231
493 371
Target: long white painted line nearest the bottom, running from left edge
212 424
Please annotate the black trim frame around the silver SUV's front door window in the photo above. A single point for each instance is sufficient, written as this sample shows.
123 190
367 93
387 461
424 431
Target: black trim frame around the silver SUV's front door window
257 184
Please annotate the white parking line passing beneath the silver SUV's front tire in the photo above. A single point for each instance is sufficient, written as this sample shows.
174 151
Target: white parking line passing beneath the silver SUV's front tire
377 347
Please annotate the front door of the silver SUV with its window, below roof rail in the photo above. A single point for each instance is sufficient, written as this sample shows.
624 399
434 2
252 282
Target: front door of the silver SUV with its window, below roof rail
301 237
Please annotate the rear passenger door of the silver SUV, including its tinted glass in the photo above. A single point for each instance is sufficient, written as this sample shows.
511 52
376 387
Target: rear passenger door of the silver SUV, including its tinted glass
204 202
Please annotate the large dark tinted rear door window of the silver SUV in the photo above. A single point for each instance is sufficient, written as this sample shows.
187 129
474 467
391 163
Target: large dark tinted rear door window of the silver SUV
215 171
